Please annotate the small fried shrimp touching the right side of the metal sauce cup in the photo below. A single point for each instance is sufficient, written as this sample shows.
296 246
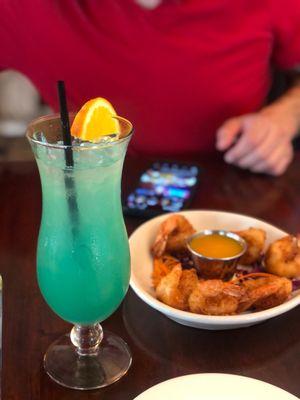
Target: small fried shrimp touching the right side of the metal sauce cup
255 239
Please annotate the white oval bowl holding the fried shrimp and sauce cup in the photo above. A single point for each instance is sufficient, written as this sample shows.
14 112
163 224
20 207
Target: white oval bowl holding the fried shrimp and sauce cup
142 266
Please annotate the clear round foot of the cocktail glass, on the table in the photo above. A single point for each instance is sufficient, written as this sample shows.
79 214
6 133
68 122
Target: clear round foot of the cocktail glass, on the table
63 364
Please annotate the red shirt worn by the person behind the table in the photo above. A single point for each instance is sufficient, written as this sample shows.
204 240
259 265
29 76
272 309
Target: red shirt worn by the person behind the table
177 72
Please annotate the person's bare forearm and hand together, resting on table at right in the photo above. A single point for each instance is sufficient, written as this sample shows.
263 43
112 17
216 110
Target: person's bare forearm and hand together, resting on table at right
264 141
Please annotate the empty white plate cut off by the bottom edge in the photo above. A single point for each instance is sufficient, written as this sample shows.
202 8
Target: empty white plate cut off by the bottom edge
214 387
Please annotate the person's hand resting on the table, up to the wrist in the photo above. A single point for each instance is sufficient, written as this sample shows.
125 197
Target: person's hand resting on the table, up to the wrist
259 142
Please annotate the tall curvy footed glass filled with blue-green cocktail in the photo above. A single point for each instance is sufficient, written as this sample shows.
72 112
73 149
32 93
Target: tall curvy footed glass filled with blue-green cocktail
83 262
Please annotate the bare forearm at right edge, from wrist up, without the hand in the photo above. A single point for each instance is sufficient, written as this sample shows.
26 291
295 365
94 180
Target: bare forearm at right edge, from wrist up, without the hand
287 107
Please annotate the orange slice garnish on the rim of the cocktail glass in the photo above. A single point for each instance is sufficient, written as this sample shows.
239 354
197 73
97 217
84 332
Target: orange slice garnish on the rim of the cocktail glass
95 120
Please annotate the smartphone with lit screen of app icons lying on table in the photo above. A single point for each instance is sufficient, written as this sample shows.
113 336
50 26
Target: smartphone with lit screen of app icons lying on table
164 187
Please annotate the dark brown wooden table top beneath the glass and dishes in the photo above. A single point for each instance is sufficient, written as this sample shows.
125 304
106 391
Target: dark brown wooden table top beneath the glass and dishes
161 348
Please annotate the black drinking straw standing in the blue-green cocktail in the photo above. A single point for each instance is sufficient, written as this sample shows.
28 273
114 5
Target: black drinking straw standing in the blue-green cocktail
69 181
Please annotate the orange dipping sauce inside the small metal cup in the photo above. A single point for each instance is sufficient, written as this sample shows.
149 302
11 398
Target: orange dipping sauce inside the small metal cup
216 246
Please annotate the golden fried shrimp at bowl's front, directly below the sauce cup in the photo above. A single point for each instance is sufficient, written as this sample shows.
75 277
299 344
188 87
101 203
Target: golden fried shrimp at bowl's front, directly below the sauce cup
215 297
